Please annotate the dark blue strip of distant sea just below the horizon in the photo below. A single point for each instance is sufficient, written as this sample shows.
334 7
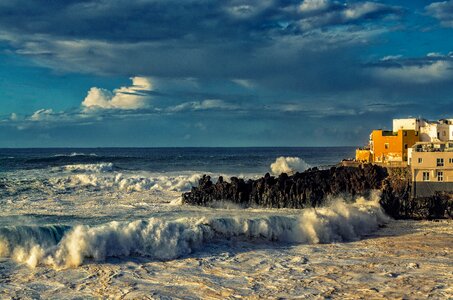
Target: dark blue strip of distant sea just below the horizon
215 160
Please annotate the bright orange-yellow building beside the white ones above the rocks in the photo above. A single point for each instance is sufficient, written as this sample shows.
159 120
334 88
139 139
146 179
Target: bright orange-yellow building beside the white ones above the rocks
389 146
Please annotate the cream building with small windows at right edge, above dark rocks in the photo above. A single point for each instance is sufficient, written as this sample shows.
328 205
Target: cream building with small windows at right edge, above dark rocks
432 168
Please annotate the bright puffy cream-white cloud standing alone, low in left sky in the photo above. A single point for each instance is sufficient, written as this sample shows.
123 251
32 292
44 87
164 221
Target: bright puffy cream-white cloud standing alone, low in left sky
132 97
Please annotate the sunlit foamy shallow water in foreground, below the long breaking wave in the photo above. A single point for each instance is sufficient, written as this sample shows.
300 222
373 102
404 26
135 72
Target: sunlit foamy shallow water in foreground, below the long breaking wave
404 260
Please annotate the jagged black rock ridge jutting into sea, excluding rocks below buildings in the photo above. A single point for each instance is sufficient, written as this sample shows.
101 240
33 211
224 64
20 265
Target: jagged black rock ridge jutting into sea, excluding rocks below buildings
307 189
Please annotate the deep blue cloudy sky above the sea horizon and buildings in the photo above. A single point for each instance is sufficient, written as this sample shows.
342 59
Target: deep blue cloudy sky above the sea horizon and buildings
167 73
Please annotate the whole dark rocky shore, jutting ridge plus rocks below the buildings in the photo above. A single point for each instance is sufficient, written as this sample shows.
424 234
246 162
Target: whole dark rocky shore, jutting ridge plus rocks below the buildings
313 187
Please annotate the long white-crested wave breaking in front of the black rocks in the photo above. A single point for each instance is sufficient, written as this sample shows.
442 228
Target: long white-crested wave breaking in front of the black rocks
163 239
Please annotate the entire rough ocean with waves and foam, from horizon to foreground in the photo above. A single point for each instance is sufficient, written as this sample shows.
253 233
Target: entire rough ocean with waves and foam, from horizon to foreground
109 223
